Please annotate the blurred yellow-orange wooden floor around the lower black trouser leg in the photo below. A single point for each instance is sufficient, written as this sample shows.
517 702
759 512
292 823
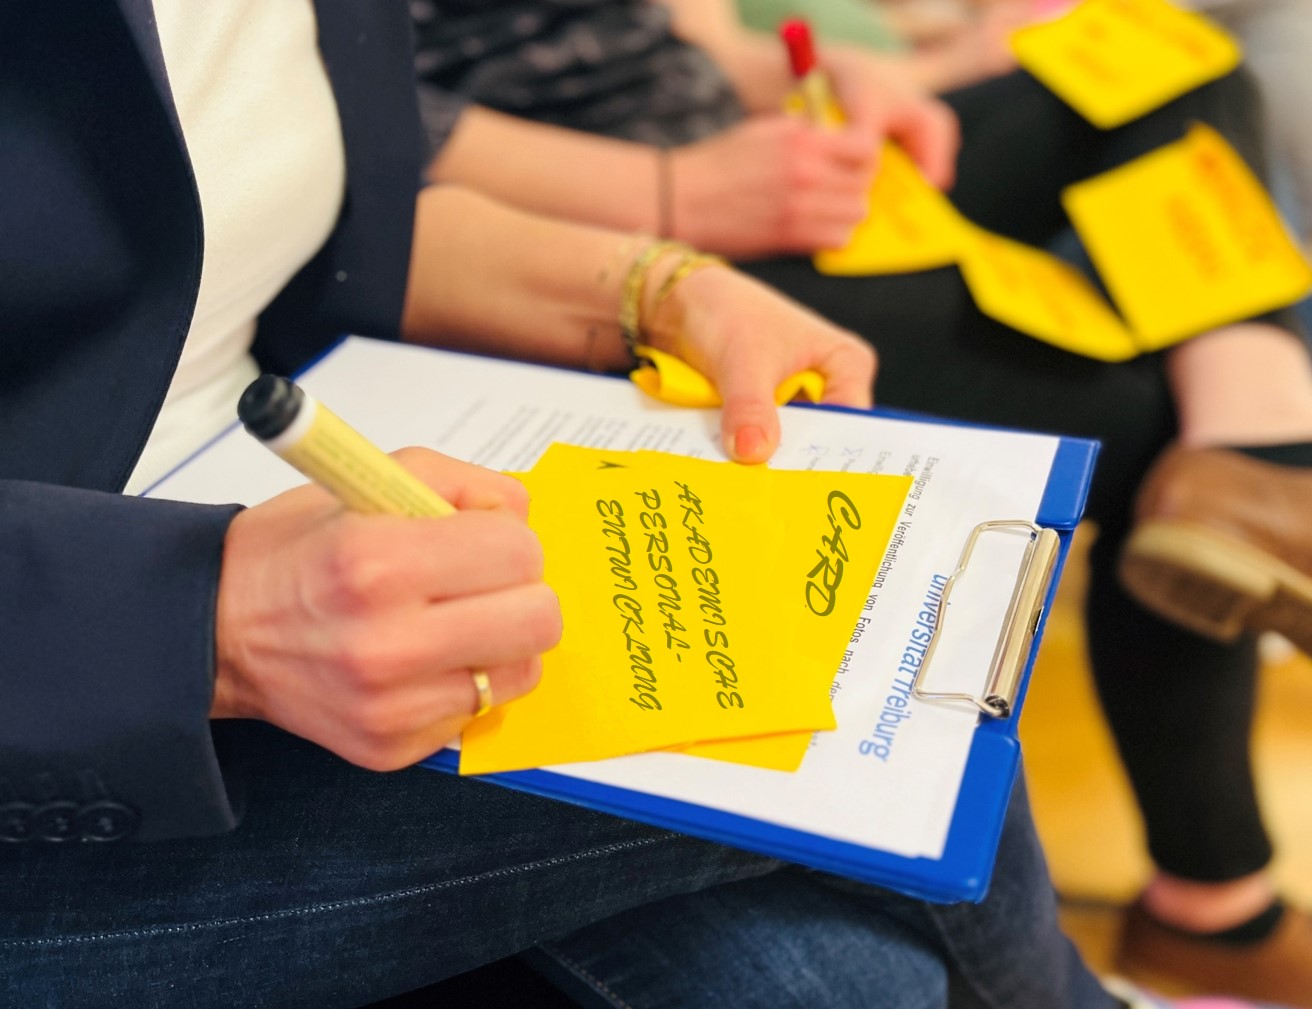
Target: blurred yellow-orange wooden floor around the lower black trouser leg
1083 804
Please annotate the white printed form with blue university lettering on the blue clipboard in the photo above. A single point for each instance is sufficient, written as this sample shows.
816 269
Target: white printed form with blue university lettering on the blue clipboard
890 775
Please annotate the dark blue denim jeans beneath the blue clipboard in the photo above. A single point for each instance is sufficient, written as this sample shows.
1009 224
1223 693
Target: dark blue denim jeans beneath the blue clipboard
343 888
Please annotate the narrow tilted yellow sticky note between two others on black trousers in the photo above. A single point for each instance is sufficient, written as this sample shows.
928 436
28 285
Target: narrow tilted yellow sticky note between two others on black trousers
1044 297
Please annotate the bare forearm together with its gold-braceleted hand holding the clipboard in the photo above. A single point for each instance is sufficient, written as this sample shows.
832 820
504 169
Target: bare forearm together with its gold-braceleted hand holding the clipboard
489 279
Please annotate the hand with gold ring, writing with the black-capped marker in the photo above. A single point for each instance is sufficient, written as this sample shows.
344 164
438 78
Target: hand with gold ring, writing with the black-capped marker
361 633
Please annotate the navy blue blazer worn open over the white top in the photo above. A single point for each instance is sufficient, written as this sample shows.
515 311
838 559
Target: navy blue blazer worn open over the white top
107 603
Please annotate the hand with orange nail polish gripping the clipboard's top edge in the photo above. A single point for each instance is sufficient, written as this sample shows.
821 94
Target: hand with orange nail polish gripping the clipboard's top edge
748 339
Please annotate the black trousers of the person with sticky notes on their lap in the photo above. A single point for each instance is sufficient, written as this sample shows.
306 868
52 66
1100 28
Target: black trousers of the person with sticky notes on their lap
1181 708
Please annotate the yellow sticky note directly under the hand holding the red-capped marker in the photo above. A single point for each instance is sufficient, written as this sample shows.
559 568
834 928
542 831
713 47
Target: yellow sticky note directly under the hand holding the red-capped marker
910 225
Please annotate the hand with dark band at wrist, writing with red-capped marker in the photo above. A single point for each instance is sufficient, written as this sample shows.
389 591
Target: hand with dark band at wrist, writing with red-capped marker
771 186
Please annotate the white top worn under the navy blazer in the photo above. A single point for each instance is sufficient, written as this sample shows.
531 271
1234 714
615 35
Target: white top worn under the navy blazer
262 131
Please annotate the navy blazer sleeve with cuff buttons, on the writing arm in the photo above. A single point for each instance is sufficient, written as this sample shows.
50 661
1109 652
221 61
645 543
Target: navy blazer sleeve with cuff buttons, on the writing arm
107 637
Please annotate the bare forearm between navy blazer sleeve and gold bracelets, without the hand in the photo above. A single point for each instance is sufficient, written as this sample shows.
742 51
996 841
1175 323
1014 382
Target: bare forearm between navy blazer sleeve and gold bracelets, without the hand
490 279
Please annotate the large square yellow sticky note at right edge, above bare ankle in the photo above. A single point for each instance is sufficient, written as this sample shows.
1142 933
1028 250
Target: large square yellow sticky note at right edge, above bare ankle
1187 239
